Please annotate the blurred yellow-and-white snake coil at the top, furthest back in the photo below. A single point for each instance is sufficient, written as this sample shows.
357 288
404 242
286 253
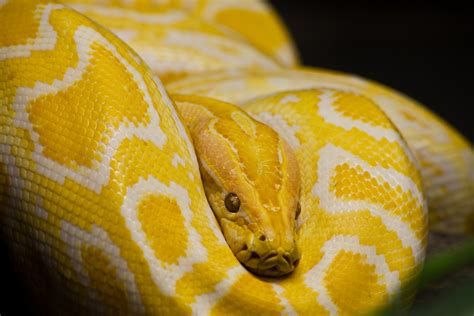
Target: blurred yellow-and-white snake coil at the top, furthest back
176 39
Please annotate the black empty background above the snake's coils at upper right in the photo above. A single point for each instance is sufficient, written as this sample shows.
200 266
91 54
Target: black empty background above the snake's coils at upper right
421 48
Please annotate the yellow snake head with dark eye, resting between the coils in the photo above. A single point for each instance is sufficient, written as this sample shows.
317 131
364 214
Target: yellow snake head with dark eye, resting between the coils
251 179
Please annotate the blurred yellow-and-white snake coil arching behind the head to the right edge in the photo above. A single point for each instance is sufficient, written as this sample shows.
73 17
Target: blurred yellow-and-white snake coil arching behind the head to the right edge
445 158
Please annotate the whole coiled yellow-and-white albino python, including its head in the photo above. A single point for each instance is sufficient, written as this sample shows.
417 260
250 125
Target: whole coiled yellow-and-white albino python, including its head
103 206
